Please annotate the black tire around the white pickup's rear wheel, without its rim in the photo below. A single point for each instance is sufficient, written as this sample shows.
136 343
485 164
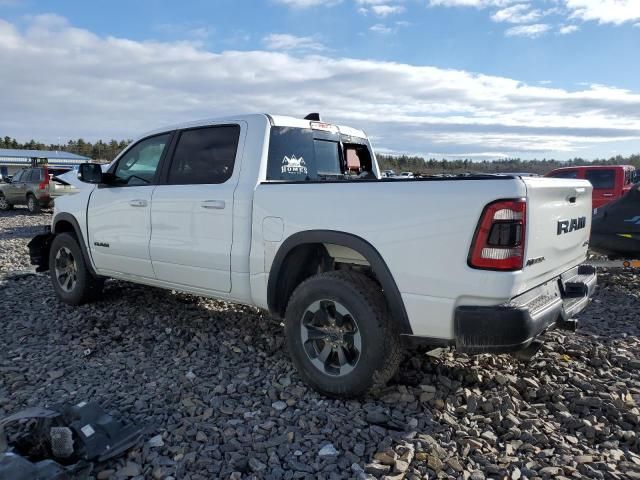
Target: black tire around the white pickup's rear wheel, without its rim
381 351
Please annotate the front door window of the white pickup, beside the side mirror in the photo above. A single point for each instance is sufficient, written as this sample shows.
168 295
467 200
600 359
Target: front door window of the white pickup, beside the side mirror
139 164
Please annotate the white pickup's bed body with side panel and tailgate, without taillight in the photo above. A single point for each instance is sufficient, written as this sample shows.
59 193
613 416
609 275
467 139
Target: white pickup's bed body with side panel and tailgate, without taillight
424 228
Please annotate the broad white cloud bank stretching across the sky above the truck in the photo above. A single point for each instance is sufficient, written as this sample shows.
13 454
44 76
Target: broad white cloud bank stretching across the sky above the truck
103 87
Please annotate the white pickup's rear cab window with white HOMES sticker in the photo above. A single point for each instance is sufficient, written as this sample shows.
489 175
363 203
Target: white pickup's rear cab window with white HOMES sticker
309 155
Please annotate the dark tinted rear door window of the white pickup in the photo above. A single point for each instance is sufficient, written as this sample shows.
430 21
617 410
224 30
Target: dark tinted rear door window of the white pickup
205 155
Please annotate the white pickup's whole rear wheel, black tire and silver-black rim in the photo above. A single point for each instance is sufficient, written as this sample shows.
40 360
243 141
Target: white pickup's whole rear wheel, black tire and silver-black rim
340 335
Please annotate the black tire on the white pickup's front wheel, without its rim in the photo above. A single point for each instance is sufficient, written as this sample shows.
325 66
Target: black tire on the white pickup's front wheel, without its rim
87 287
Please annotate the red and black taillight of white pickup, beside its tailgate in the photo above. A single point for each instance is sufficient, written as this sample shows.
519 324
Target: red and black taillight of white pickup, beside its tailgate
499 240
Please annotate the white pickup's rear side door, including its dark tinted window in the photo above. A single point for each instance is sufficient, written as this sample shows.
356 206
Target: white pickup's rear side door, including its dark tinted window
192 213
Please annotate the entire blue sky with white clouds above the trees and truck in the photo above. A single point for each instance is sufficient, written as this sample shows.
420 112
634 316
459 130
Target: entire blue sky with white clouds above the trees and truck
478 78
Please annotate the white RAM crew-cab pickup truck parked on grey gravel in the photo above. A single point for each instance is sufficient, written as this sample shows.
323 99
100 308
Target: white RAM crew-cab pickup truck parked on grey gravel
292 215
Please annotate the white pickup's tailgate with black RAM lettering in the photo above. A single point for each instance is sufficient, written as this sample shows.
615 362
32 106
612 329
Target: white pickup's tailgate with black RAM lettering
558 227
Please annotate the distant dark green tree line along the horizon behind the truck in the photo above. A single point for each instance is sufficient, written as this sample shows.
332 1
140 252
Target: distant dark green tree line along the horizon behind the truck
107 151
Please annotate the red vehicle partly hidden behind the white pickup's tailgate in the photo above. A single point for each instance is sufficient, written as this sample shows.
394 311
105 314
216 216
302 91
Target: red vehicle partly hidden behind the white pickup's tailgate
609 181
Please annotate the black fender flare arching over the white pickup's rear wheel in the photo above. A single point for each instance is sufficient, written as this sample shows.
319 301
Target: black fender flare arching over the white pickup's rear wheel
360 245
